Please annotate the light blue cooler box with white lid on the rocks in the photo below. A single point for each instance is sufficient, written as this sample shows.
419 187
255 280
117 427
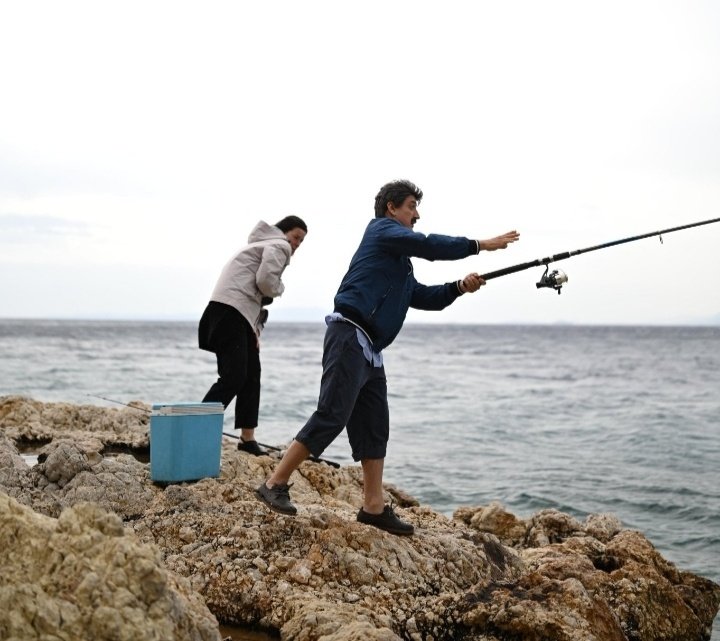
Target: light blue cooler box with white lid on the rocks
185 441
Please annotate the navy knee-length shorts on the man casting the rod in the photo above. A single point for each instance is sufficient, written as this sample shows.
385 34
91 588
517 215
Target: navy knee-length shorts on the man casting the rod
353 394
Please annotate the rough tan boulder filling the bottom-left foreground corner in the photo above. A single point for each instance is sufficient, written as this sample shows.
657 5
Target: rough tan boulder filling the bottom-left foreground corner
84 576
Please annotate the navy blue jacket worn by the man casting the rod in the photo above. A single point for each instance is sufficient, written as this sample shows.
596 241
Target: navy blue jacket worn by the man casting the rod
380 286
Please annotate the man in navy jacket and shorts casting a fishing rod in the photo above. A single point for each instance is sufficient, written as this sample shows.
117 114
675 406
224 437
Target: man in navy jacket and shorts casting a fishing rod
370 308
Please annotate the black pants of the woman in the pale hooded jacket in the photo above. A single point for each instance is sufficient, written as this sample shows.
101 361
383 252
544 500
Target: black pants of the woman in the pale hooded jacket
235 346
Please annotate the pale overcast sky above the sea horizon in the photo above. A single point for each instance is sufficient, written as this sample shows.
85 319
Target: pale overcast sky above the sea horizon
141 141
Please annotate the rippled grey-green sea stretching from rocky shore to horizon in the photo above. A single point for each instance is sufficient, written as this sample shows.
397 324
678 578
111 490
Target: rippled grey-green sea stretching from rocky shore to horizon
582 419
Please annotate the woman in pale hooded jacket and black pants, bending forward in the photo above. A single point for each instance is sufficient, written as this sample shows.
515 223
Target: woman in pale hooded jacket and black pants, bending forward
231 323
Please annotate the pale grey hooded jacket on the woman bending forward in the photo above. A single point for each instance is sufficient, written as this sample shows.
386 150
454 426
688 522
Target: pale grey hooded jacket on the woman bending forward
254 272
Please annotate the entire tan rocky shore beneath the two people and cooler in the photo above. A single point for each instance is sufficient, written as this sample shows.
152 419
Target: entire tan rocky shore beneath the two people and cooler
90 548
